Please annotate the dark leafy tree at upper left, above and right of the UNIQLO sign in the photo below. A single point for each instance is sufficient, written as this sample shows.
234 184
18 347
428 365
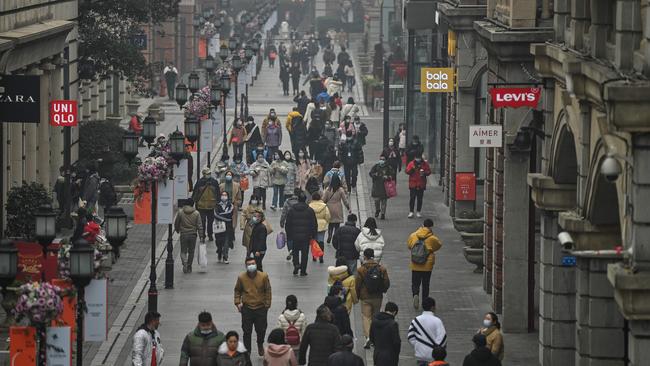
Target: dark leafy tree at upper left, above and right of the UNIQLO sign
107 30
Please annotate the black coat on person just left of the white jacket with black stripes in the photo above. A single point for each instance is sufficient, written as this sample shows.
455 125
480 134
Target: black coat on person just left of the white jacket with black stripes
384 334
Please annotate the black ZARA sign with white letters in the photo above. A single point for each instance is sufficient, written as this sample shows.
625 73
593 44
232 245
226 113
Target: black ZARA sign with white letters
20 98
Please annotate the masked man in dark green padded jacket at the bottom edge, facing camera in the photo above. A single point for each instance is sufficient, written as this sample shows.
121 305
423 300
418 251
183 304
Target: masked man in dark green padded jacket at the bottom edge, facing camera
201 346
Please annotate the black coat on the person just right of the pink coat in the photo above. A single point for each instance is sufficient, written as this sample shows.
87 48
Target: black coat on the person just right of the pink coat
321 338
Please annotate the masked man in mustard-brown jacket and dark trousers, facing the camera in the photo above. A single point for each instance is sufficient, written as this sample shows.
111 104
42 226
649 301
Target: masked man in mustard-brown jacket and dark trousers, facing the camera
253 300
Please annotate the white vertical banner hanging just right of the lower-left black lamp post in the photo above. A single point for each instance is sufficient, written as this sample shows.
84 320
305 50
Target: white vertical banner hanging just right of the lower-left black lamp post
95 322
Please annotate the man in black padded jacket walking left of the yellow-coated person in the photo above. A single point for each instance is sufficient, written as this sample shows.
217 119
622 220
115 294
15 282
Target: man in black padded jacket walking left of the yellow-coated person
301 226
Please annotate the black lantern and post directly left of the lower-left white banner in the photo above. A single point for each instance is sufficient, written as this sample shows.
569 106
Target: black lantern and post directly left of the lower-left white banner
82 270
